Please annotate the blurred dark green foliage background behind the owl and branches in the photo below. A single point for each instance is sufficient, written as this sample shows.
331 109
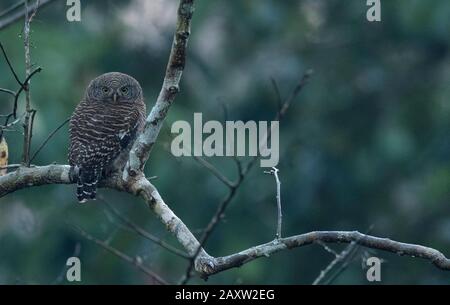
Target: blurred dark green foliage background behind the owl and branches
365 144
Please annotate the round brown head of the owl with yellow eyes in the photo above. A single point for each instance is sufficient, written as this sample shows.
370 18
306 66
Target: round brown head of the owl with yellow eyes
114 87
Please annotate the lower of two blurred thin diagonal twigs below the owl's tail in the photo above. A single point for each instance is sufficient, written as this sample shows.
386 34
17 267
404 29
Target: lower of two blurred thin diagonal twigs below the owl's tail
134 261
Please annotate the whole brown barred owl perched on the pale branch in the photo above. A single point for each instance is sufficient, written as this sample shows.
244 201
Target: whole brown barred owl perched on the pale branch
103 128
